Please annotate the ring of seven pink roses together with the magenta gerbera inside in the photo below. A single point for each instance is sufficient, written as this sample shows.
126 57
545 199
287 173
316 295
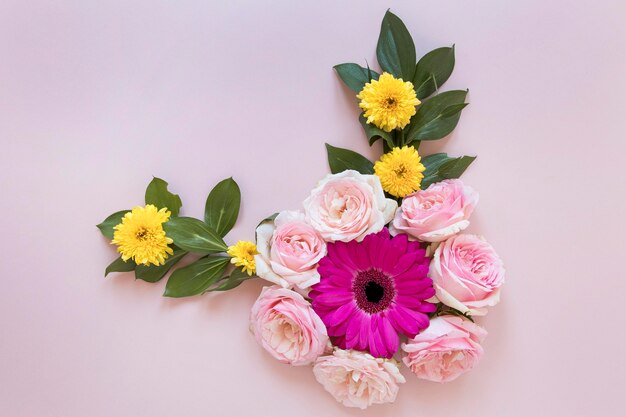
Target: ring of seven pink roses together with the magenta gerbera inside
354 286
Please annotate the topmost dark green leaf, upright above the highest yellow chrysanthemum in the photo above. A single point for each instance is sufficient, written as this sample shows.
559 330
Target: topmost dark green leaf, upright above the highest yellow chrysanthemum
395 50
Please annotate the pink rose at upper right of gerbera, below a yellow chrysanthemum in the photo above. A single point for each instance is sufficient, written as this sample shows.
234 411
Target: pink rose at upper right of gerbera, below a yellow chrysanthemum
436 213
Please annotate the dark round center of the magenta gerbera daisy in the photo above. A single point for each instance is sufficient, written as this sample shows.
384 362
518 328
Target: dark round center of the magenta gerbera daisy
373 291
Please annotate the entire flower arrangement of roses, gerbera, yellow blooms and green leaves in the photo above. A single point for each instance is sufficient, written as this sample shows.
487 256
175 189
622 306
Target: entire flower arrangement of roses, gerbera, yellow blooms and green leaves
372 271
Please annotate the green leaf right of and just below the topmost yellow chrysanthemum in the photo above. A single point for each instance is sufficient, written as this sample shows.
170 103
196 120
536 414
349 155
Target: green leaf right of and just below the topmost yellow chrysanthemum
437 117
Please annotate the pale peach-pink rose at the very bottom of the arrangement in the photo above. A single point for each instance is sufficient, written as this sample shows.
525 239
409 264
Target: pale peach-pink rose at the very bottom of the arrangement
357 379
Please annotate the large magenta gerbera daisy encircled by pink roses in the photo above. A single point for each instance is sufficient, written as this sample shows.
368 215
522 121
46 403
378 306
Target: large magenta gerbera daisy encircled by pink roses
371 292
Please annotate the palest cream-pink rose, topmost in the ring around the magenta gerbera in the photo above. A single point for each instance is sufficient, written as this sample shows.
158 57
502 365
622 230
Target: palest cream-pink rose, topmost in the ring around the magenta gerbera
348 206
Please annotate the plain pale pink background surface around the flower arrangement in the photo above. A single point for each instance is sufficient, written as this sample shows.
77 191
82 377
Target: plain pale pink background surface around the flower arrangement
97 96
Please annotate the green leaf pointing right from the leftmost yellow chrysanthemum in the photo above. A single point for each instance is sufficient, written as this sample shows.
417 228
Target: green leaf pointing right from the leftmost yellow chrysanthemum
194 236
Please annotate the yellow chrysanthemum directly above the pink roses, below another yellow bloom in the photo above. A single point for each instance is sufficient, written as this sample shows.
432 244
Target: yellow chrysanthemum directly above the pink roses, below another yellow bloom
400 171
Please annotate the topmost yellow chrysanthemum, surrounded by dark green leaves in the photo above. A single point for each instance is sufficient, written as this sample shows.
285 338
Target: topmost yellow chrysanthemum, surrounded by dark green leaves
388 102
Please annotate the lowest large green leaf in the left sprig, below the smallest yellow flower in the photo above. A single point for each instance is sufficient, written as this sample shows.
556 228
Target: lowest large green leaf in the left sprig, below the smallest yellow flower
197 277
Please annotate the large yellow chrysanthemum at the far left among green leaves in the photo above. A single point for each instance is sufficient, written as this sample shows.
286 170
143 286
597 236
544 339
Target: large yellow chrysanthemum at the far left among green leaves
141 237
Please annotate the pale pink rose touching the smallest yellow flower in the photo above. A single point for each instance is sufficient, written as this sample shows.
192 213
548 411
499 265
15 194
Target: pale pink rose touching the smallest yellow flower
289 250
